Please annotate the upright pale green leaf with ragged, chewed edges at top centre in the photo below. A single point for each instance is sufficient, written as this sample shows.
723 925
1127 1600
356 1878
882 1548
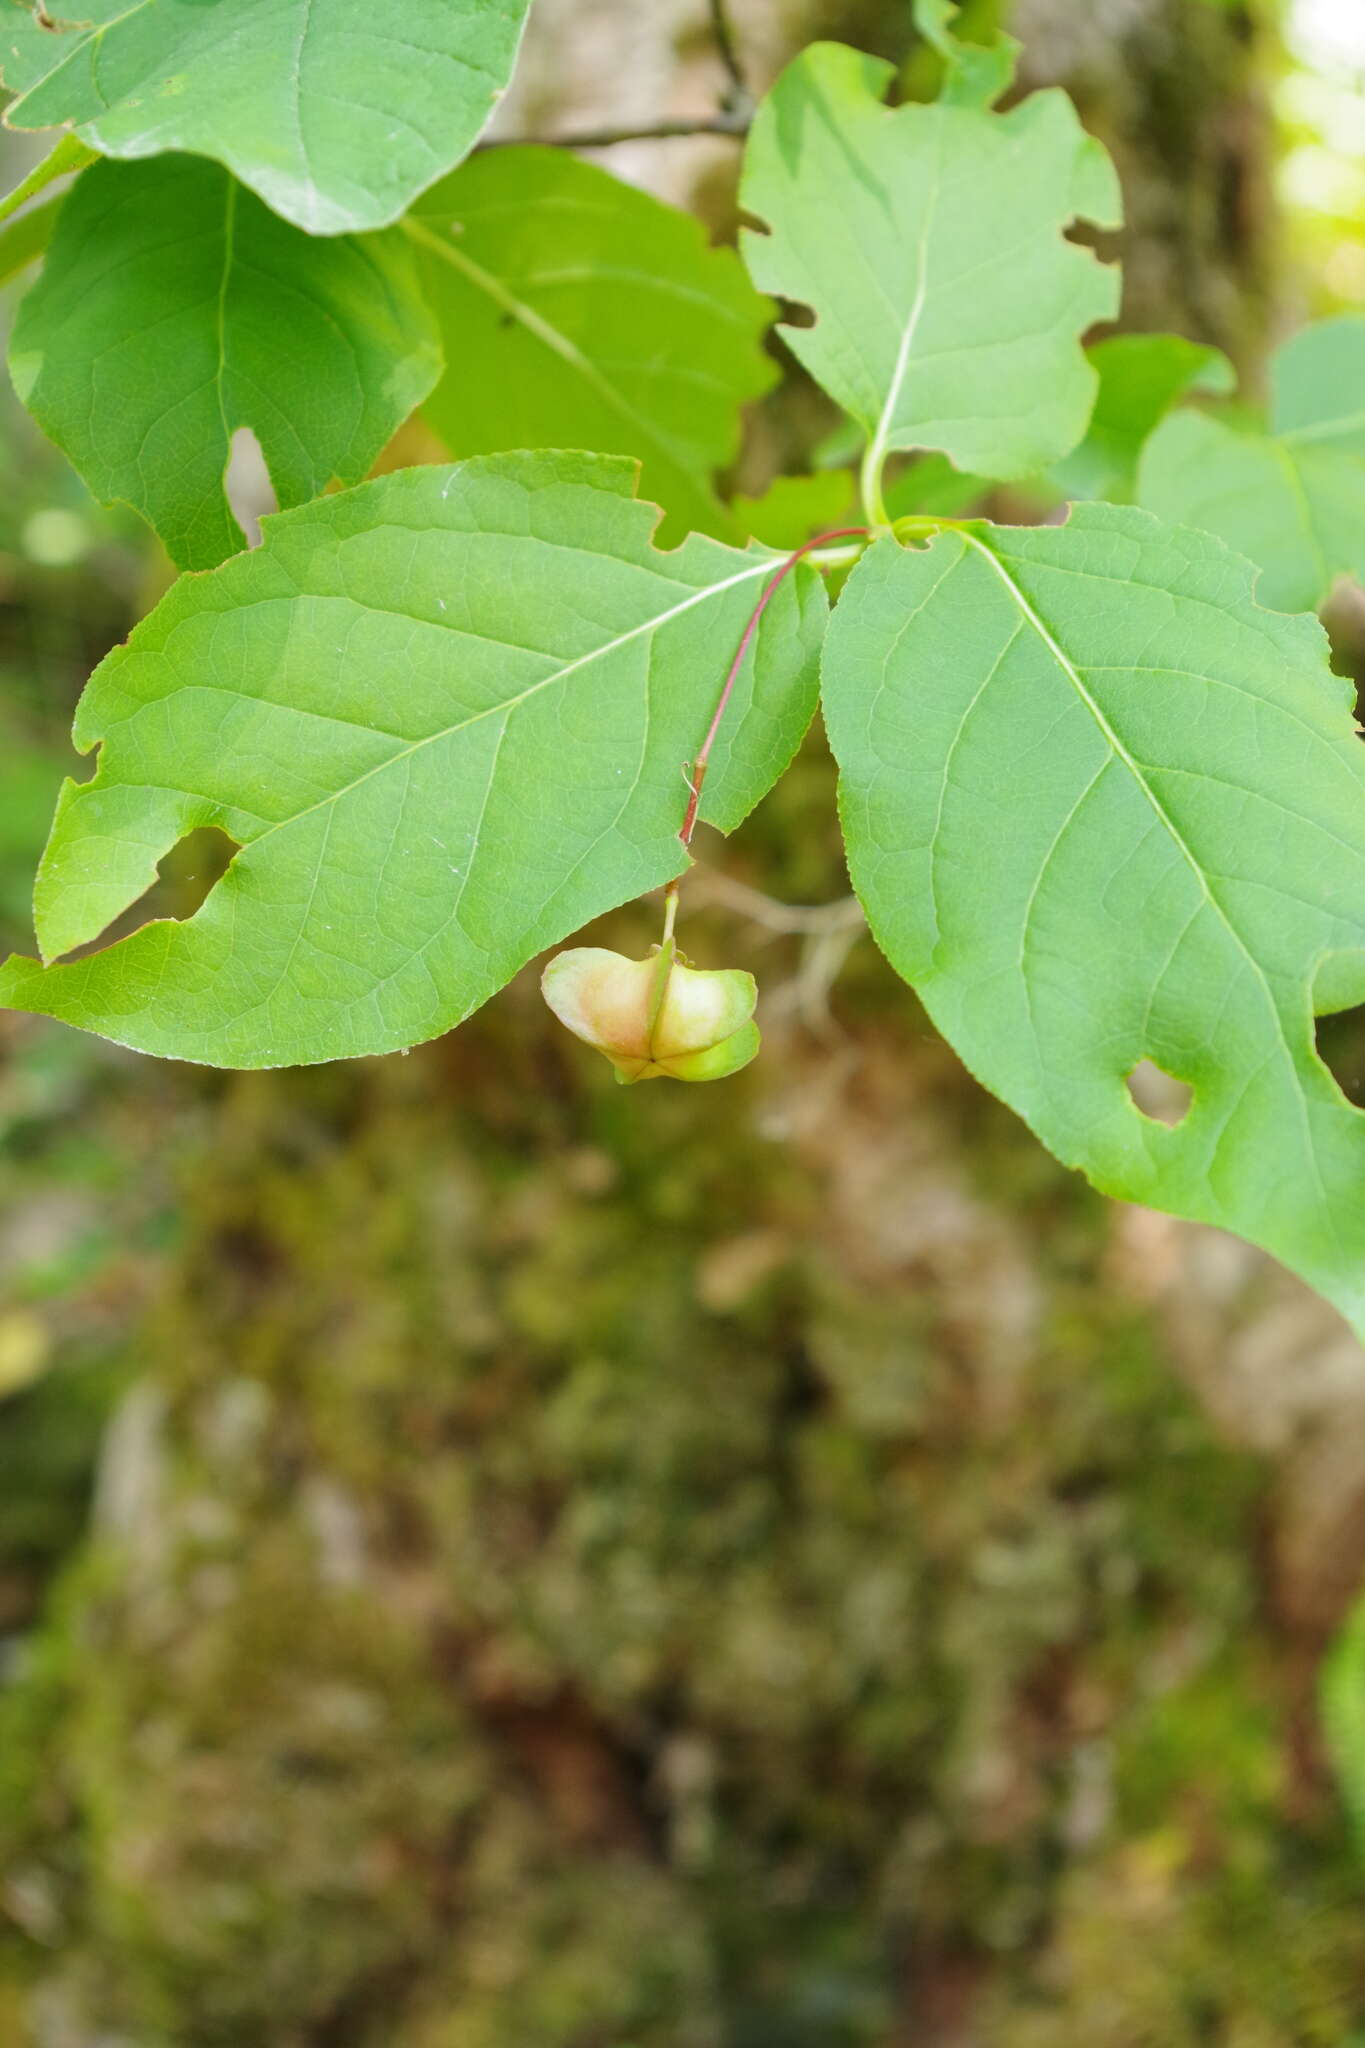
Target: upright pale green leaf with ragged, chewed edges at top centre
930 247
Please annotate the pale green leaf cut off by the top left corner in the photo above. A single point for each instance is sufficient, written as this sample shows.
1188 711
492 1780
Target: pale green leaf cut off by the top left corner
335 112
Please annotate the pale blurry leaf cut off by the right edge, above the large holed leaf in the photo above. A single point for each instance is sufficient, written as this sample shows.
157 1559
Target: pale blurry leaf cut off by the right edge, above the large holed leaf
1290 499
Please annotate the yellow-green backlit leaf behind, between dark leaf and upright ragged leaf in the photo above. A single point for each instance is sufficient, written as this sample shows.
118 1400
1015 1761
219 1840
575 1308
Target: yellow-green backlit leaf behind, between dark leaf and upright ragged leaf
582 314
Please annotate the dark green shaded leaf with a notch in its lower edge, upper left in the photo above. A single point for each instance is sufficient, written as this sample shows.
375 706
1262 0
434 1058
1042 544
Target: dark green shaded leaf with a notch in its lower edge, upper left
175 308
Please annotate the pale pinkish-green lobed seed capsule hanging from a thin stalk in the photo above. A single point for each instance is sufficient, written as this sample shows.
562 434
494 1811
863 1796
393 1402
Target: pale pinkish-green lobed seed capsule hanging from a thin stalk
656 1017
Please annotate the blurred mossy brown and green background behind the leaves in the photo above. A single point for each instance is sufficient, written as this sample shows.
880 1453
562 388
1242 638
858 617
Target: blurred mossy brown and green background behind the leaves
498 1562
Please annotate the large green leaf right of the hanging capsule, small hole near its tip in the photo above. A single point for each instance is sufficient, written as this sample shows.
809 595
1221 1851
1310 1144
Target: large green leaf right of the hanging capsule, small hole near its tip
1104 808
